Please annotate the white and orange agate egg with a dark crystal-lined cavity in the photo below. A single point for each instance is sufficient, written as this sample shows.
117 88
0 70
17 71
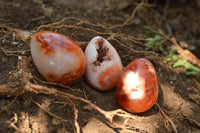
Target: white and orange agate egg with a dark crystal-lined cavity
104 65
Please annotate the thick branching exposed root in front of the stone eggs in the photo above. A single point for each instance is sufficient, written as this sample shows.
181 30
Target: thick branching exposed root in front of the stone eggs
23 84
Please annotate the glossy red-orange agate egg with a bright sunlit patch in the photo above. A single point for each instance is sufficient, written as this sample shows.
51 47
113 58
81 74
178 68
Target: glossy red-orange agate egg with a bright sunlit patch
137 89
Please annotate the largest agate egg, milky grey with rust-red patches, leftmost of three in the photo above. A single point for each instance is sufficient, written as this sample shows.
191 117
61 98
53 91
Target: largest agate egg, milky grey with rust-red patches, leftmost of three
58 58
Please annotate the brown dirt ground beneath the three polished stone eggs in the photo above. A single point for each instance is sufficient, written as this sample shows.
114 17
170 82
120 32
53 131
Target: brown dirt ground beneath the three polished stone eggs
179 94
